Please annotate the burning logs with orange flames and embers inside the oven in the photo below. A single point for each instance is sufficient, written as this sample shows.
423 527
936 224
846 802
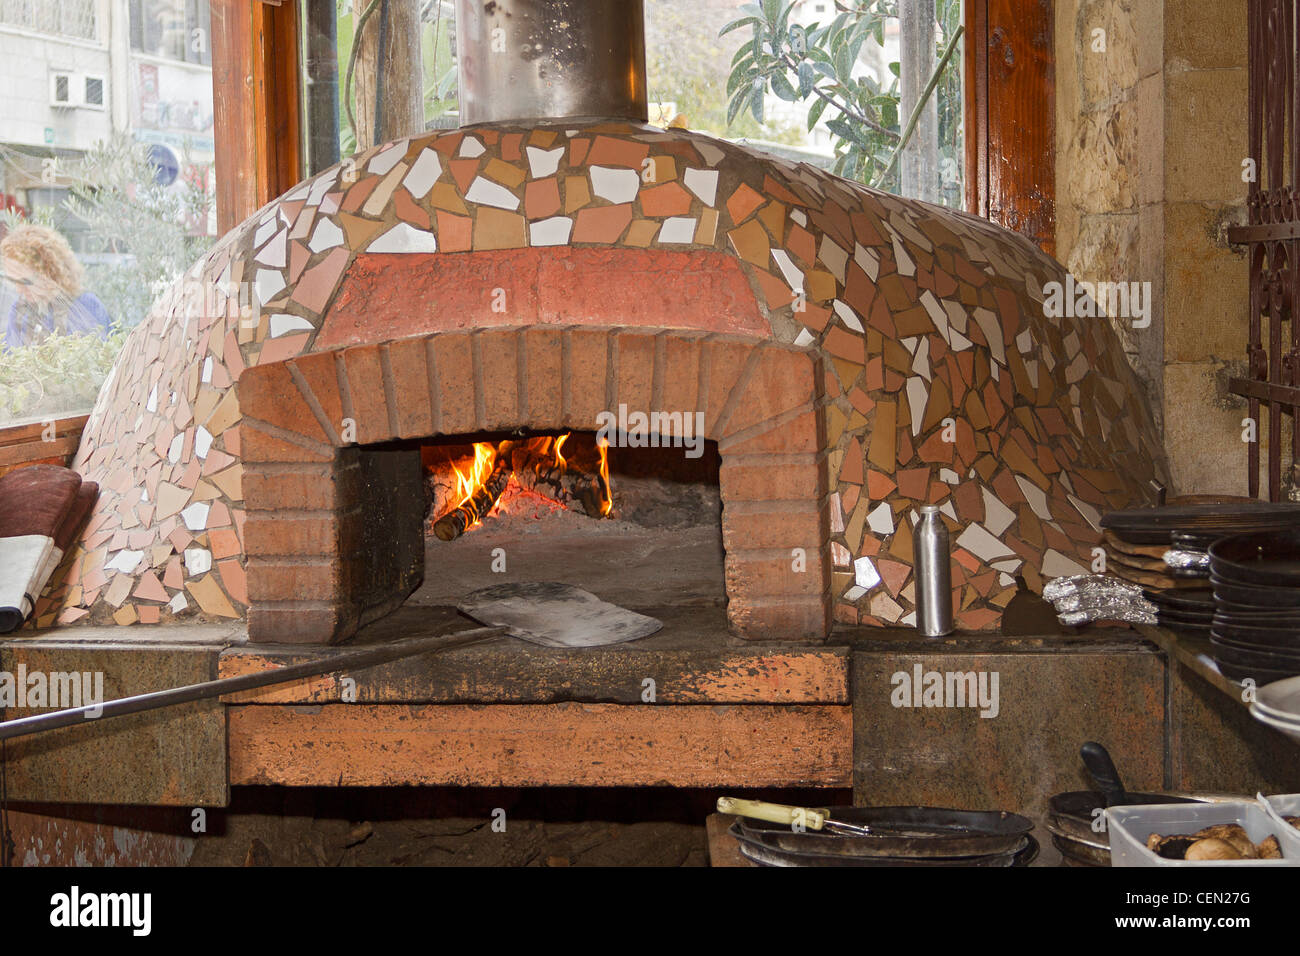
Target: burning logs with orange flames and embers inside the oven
469 483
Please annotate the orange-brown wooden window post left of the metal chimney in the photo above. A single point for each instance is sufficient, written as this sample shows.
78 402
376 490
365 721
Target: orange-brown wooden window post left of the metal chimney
255 93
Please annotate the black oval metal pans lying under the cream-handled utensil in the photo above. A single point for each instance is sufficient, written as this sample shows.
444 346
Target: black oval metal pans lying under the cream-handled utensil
903 832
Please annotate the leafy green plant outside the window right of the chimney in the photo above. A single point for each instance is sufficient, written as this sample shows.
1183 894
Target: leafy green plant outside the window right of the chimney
820 64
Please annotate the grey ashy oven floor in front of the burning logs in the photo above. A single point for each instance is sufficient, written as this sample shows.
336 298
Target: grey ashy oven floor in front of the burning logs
617 561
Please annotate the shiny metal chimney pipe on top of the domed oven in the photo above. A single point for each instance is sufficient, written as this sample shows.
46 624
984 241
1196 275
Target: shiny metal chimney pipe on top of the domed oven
540 60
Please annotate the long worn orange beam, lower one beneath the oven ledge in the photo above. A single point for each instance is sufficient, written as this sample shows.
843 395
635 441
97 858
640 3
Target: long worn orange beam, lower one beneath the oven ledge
541 746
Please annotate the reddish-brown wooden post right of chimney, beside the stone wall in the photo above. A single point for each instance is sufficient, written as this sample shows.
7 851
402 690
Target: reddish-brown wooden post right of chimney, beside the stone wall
1011 116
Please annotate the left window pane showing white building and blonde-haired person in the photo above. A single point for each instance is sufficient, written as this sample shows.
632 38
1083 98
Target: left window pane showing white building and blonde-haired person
106 187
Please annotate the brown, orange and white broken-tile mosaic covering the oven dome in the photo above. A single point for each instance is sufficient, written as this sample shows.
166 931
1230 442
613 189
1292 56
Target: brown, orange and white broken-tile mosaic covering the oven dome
1021 427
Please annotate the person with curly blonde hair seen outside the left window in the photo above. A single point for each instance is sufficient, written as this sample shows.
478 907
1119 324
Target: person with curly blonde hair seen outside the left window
40 266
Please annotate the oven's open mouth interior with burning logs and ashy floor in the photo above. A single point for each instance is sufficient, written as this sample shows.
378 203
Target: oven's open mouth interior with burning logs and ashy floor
635 526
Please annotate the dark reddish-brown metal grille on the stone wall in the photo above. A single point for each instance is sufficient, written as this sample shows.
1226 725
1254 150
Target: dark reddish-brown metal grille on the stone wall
1272 386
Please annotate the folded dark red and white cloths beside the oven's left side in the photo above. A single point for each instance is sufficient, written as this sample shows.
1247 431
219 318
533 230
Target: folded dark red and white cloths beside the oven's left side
41 511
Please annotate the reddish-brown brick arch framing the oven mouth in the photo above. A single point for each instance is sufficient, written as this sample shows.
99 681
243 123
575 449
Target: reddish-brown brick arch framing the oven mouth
309 537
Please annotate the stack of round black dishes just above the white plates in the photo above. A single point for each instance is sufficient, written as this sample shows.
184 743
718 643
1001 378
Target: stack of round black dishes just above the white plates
1256 581
